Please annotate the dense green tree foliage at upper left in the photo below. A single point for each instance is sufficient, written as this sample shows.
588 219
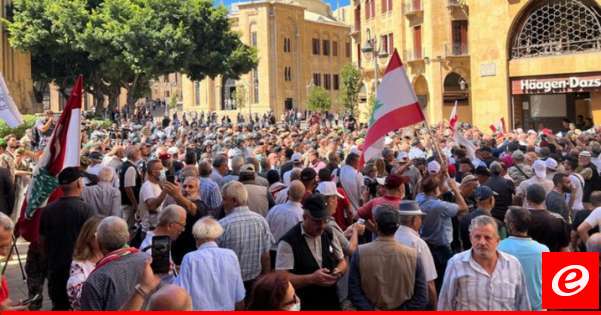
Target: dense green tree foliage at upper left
118 44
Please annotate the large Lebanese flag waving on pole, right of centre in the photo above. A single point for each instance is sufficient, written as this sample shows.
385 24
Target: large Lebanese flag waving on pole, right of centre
396 107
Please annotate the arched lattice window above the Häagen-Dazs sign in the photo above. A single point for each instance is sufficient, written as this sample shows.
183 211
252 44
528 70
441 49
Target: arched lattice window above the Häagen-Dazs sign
557 27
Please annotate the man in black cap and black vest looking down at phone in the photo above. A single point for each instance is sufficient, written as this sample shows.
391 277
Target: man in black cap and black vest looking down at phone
313 258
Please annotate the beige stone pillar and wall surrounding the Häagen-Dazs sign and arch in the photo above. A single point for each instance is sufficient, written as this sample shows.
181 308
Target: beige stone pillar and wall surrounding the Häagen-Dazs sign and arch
490 35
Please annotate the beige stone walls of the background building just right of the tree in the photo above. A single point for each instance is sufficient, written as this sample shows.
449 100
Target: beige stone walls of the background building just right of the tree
273 22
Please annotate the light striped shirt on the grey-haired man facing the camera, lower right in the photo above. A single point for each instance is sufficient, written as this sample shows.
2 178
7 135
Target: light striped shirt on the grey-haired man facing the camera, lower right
468 287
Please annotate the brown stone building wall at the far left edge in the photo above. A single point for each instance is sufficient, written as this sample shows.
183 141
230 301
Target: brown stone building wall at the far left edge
15 67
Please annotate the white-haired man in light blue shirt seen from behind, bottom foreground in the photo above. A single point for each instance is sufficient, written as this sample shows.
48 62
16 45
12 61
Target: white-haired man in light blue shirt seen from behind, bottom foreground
211 275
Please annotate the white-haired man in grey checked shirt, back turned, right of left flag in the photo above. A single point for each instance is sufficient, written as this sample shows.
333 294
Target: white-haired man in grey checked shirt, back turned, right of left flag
103 197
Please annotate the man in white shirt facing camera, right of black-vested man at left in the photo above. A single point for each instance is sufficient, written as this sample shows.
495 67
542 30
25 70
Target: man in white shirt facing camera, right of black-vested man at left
151 195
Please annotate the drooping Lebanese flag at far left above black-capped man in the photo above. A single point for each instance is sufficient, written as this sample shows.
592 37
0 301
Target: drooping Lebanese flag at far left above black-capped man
61 151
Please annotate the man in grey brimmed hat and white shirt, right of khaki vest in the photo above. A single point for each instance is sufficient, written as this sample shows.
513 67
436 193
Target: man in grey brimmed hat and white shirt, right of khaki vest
407 234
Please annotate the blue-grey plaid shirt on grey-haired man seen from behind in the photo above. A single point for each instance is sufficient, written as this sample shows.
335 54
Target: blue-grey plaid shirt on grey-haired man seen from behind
247 234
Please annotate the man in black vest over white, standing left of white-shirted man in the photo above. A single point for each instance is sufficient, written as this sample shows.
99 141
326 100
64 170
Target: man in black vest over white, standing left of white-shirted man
130 182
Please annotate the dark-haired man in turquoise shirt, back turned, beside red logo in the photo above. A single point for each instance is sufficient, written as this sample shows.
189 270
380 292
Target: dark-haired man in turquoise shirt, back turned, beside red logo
526 250
